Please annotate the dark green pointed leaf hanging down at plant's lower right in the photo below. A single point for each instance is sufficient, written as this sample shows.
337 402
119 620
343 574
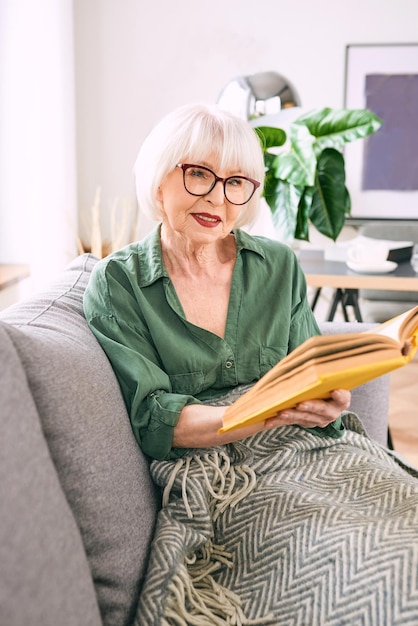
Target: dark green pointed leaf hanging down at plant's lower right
331 200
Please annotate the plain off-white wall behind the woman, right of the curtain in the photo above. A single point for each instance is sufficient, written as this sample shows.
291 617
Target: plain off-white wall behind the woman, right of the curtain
137 60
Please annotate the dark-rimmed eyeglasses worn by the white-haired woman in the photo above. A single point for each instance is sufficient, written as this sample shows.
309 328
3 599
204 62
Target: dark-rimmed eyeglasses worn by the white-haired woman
199 181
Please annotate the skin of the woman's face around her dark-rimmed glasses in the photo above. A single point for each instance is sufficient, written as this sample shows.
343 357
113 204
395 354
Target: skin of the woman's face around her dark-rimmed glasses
200 218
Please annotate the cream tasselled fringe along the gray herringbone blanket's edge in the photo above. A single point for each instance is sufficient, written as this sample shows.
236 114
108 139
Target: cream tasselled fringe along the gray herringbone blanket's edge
194 597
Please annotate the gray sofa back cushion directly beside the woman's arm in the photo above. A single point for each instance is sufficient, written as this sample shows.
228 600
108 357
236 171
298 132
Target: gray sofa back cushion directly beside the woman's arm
103 472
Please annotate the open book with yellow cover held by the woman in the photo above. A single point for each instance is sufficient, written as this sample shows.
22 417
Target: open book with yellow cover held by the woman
324 363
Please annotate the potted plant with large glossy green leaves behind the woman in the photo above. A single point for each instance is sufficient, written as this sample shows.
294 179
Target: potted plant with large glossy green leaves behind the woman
305 170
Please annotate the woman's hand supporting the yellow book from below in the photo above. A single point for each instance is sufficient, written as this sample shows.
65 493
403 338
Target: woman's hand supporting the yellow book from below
313 412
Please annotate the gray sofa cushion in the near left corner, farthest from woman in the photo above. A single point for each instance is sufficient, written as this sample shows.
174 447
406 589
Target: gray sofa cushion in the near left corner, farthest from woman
46 579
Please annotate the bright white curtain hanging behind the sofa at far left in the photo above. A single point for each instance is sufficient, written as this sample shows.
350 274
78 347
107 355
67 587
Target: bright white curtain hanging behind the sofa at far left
38 204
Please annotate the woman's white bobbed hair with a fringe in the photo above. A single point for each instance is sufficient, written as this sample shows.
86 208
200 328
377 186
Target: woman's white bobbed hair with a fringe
190 134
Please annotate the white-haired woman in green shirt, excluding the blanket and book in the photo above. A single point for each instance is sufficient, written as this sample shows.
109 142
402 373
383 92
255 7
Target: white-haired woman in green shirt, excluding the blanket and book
200 306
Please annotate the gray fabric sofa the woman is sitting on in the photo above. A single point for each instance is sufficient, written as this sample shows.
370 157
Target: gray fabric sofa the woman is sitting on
78 507
